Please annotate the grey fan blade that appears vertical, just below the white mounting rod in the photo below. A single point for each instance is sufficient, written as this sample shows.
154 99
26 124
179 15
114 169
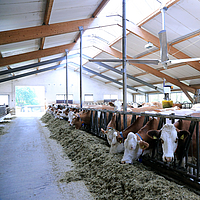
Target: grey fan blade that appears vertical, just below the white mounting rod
163 45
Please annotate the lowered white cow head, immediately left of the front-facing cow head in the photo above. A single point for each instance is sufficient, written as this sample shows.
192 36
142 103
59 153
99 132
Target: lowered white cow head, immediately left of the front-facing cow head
133 148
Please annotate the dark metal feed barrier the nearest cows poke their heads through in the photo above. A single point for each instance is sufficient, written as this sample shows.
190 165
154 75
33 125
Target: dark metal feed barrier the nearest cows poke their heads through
187 173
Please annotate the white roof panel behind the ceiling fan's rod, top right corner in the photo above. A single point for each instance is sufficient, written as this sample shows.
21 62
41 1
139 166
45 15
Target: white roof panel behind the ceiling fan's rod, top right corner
178 20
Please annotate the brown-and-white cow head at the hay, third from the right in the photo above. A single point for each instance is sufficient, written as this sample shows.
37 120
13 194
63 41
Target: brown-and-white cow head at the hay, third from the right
115 146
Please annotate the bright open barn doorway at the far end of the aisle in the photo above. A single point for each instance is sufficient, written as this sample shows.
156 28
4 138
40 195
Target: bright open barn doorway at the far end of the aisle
29 99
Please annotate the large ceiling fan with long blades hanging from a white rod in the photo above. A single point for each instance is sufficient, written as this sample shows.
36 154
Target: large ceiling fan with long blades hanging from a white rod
164 60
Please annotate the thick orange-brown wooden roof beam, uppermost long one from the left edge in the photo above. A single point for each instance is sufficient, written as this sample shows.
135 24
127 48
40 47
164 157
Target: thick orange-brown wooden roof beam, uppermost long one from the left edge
53 29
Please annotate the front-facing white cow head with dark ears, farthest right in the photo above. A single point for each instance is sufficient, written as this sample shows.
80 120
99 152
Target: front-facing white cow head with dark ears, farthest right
170 138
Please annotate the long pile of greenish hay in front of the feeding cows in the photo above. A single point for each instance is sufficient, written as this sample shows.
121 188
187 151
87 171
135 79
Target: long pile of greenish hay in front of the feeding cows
102 172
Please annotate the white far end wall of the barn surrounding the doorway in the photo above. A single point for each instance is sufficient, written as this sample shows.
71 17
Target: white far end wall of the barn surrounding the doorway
55 83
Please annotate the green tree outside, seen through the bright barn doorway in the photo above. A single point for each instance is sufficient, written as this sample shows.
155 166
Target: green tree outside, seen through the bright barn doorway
25 96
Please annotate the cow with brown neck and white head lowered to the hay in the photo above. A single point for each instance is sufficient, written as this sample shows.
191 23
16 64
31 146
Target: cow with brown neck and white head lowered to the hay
136 143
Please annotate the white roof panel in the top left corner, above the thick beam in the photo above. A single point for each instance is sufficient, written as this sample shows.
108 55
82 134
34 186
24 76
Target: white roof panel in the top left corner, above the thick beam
16 14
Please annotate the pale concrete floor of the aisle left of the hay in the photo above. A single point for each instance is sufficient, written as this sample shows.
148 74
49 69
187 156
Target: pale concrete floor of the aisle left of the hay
31 164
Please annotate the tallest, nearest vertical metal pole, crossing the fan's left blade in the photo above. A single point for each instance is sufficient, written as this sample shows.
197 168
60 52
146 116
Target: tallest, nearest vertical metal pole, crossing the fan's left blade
124 62
